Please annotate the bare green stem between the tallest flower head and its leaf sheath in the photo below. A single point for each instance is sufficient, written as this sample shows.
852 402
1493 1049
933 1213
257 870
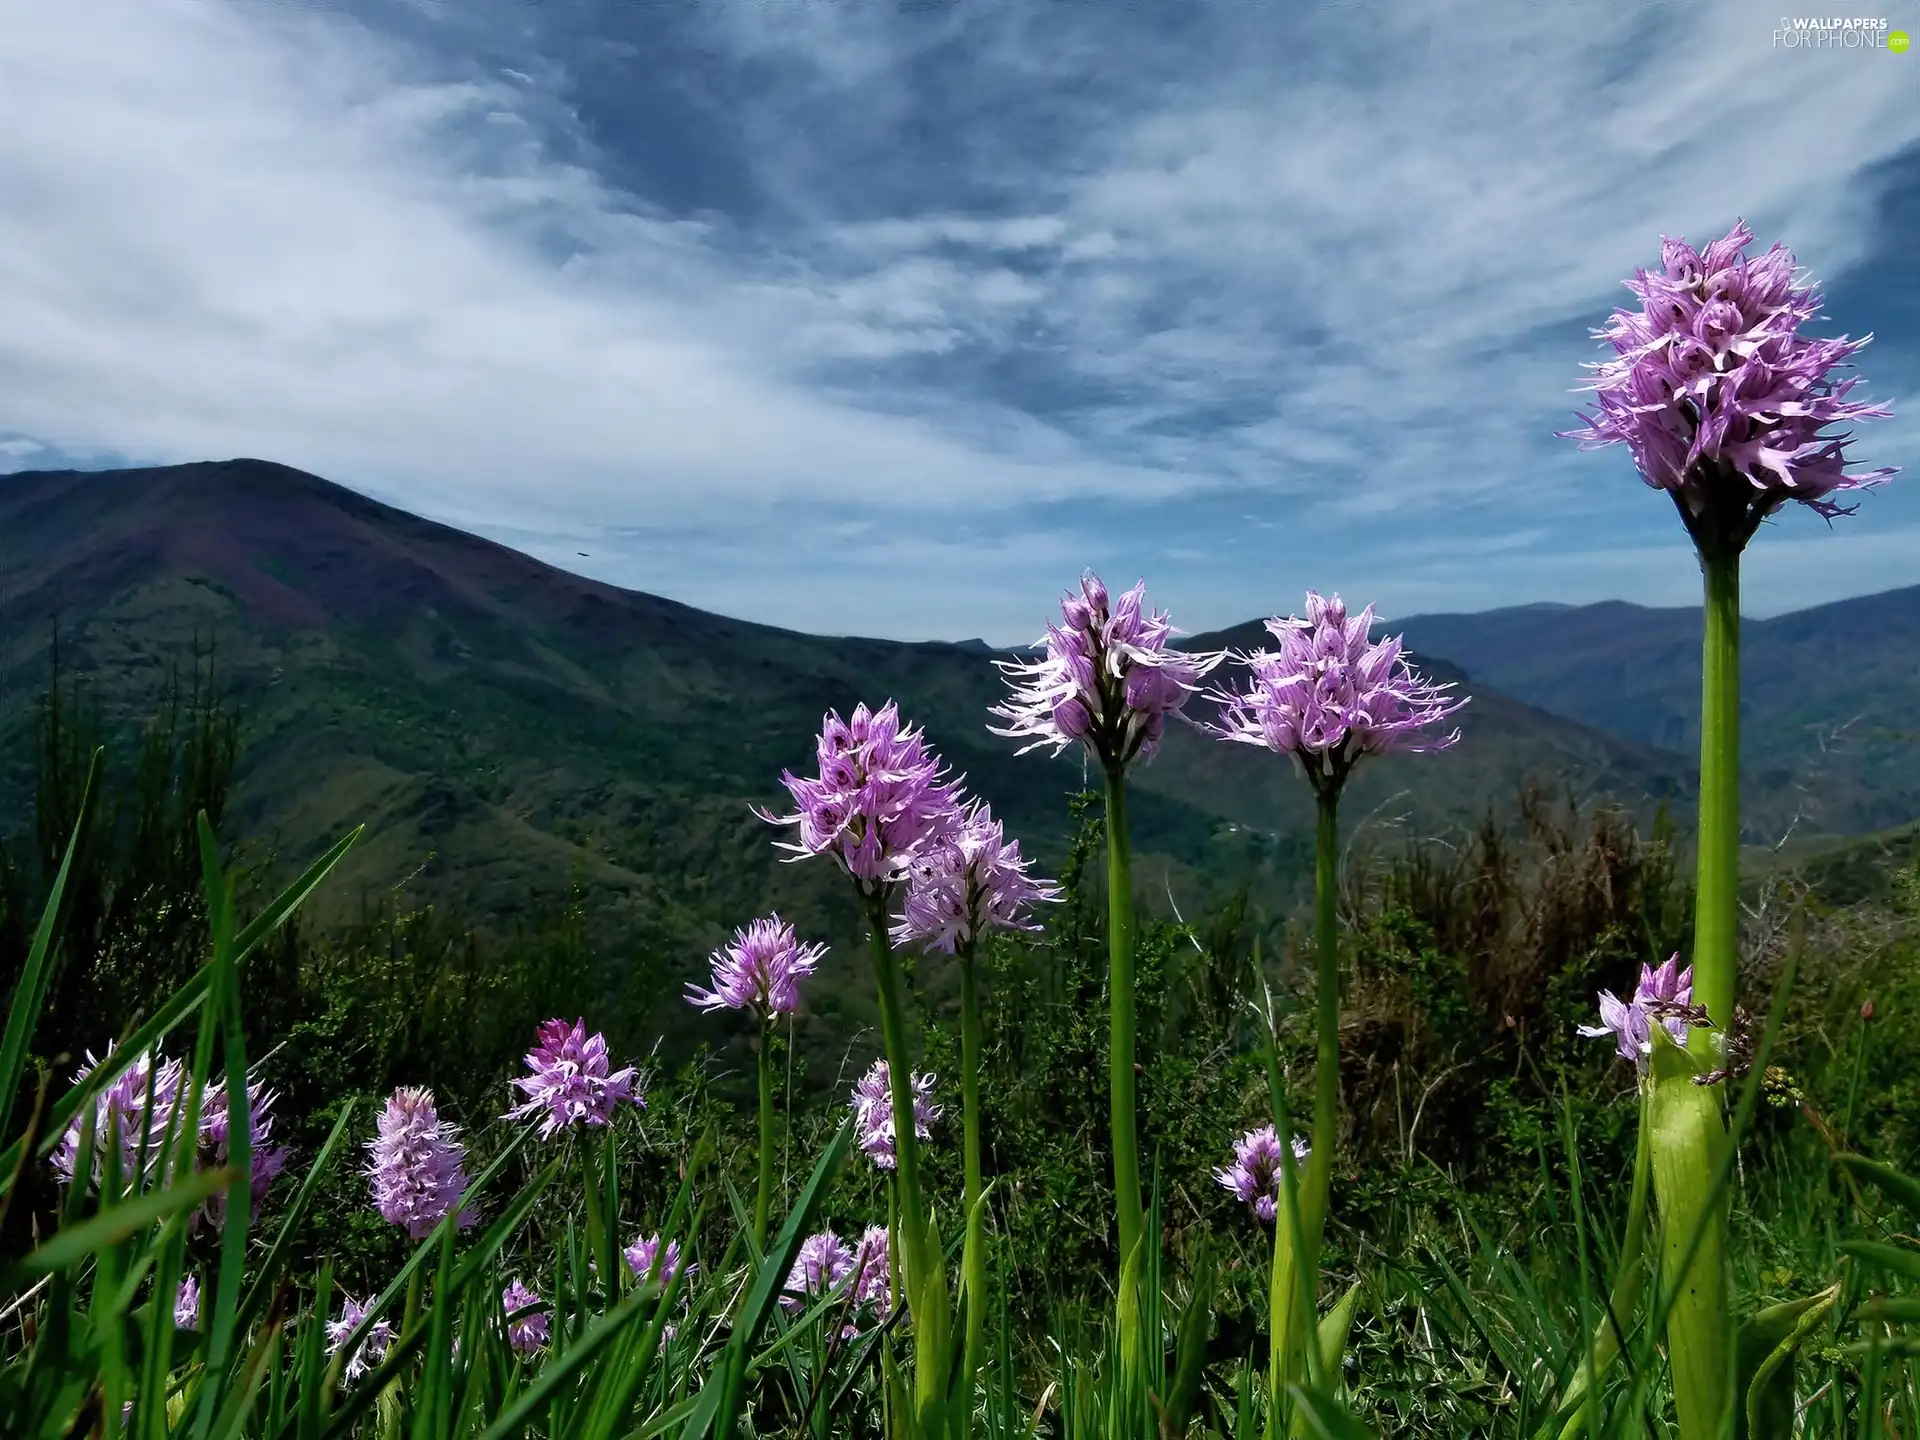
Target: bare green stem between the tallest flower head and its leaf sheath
1717 892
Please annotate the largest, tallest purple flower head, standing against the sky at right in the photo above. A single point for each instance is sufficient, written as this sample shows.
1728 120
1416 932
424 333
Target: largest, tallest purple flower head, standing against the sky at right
1719 398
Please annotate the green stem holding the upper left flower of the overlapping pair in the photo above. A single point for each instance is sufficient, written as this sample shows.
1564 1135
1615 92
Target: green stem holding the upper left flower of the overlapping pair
921 1259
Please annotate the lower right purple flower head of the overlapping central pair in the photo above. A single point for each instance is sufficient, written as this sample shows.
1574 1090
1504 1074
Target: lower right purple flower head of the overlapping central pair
967 884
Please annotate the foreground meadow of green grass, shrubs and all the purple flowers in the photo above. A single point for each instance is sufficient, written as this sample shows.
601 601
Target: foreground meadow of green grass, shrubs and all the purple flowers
1691 1243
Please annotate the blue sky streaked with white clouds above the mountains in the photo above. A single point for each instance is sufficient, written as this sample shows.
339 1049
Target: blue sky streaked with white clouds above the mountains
890 318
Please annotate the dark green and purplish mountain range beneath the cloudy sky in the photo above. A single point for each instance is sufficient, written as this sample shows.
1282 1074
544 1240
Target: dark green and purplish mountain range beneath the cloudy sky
508 729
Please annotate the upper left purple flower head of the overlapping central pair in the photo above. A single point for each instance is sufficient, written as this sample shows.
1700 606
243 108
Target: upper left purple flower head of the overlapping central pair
878 802
